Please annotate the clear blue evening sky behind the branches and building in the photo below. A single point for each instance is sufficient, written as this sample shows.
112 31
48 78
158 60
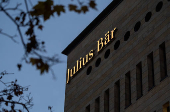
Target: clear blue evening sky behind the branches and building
57 33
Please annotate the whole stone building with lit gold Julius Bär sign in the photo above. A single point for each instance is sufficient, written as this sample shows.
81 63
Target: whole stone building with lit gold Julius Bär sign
121 61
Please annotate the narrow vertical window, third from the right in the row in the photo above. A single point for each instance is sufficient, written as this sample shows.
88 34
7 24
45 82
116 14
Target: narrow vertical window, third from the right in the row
139 80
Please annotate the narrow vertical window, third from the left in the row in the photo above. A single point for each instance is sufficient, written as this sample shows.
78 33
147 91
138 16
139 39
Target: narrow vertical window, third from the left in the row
106 101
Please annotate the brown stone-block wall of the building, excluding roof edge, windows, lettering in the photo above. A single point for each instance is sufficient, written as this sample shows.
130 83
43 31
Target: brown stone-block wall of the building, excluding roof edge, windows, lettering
83 89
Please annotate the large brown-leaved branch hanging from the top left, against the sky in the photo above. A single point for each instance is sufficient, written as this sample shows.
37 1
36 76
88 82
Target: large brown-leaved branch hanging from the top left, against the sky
30 19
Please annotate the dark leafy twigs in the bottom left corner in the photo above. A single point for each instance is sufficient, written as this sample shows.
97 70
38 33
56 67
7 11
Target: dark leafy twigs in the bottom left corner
13 96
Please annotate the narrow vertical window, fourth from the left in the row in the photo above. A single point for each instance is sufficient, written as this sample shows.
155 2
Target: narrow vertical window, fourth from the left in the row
117 96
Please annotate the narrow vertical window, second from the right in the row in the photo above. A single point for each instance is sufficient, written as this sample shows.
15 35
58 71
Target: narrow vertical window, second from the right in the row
150 63
